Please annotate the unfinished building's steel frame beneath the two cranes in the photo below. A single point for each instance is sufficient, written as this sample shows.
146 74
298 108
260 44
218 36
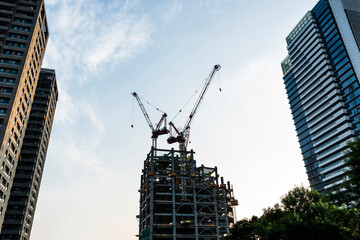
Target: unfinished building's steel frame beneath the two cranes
181 201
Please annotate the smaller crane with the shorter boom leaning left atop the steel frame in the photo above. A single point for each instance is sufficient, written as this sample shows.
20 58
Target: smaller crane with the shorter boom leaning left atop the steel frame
156 131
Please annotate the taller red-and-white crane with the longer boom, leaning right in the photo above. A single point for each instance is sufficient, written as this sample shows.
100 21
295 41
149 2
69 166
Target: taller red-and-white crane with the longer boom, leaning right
182 136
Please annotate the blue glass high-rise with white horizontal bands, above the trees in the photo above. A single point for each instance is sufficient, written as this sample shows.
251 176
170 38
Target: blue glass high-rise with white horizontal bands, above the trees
321 76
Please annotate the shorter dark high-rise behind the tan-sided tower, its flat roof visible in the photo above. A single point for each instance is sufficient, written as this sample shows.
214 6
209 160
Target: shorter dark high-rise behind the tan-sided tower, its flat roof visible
24 193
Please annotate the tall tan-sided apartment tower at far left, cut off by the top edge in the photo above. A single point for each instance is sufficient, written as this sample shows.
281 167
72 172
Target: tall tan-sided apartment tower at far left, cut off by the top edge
23 39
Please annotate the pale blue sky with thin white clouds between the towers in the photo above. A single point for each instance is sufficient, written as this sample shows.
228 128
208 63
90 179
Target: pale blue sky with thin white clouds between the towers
102 50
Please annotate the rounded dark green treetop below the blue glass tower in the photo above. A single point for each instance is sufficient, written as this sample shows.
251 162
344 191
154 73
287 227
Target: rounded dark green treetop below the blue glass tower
301 214
